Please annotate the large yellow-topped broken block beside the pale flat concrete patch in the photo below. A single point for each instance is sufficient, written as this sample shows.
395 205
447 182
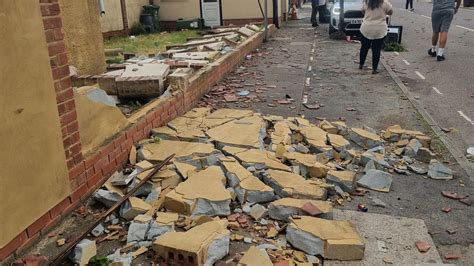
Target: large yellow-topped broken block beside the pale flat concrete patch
336 240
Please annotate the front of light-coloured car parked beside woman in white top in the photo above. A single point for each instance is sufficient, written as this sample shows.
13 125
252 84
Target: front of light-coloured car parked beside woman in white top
353 16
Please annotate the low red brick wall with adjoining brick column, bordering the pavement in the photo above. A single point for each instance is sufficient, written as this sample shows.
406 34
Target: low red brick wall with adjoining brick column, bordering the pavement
88 174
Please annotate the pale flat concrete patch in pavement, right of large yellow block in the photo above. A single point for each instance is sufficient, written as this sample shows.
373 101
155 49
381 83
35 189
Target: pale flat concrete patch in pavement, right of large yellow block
399 233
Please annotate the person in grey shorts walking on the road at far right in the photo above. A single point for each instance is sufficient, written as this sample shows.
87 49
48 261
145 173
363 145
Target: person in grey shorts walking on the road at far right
441 18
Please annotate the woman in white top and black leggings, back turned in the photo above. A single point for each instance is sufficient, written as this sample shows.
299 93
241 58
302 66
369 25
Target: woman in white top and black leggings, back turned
373 29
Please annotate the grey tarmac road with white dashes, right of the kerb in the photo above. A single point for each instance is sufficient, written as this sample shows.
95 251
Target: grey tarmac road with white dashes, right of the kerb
444 89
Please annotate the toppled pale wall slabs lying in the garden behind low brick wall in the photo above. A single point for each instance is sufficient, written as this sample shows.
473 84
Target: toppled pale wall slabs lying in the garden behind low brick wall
151 76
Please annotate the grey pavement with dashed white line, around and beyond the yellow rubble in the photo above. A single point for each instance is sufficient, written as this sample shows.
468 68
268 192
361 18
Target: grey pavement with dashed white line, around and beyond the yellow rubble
299 63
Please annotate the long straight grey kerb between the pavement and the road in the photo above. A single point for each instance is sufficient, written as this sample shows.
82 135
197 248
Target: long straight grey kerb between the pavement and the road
457 154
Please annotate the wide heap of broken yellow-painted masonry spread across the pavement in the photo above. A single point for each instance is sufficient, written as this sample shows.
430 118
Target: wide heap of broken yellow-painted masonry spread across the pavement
266 182
